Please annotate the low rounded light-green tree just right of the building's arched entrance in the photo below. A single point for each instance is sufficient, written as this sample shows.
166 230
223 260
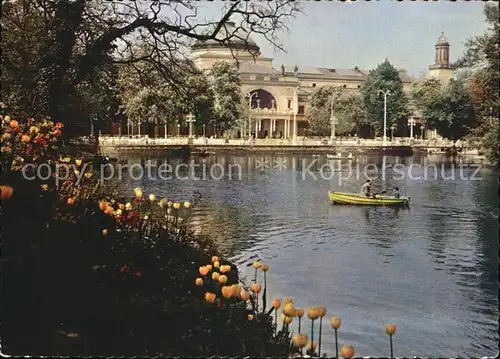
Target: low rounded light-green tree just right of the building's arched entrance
348 109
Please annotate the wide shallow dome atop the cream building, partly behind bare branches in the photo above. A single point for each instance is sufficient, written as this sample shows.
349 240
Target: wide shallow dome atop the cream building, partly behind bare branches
237 40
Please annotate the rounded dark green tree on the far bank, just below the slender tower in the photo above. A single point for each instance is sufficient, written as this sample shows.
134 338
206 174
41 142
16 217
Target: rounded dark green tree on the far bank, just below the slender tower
449 110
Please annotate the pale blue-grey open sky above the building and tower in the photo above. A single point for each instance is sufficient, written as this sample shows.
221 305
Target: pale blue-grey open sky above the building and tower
343 35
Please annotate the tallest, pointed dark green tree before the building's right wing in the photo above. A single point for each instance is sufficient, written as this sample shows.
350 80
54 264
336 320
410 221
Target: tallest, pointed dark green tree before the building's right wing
384 77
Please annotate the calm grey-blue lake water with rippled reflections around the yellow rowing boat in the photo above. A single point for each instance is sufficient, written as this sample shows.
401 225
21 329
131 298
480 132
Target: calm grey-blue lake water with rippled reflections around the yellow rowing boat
432 269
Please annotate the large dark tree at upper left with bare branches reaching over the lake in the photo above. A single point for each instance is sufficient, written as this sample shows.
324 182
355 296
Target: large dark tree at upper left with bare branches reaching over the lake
50 47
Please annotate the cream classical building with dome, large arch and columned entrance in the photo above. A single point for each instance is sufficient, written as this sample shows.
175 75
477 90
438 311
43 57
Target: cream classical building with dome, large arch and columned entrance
278 96
